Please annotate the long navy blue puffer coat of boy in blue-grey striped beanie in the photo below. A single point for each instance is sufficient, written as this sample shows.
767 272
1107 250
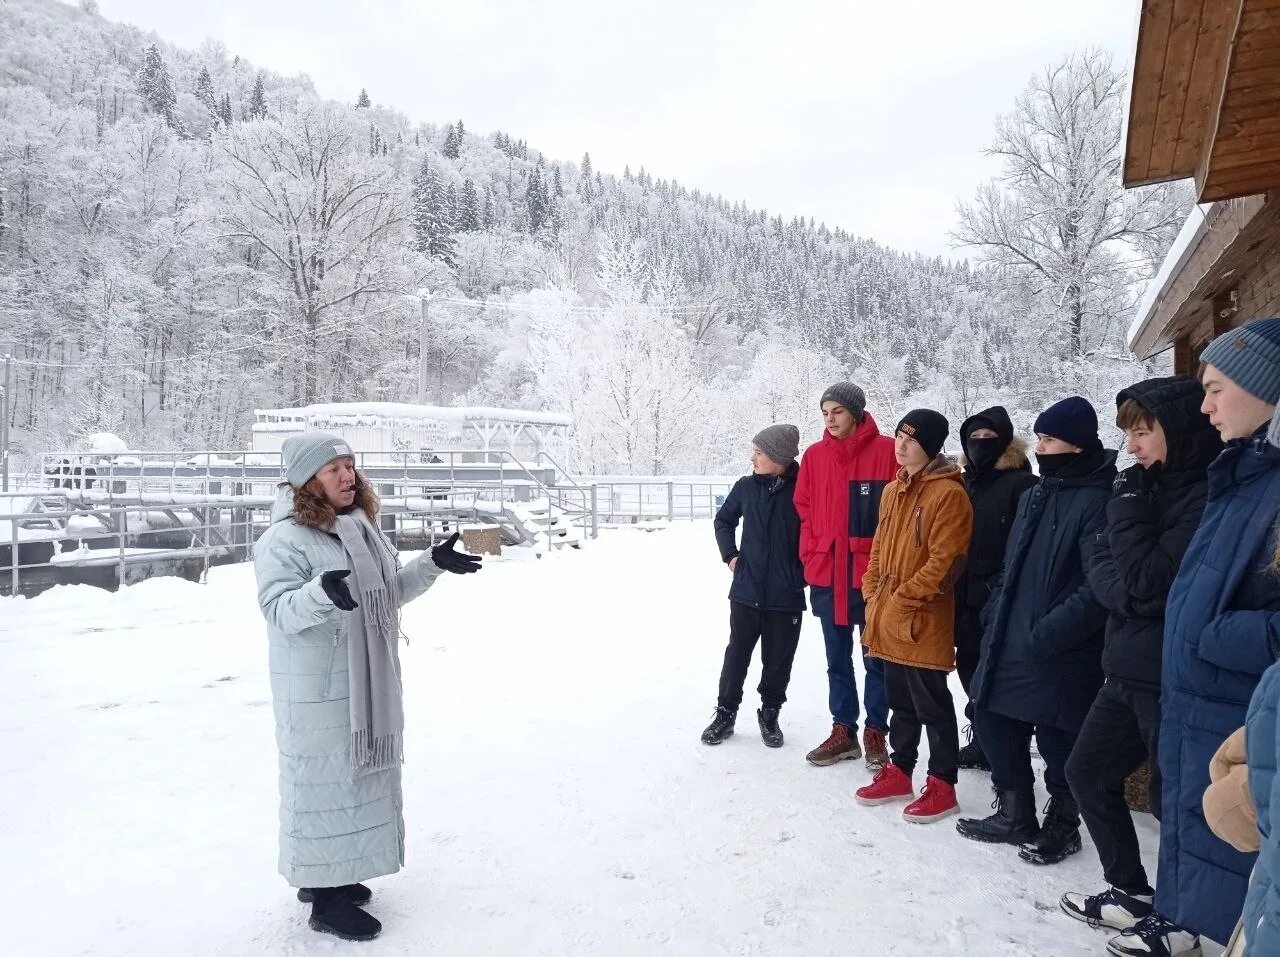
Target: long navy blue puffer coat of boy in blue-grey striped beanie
1220 626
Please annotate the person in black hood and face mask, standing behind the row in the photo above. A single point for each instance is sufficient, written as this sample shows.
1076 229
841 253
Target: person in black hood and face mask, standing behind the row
996 474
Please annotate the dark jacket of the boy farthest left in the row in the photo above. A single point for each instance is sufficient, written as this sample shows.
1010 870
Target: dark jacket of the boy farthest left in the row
770 575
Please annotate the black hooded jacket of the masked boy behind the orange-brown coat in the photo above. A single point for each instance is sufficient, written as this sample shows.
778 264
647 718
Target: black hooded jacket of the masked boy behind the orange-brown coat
994 494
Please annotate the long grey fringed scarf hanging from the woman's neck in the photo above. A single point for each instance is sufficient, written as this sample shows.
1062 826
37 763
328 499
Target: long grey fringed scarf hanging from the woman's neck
373 658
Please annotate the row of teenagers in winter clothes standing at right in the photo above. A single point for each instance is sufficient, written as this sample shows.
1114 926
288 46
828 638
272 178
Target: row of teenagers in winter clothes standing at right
1119 617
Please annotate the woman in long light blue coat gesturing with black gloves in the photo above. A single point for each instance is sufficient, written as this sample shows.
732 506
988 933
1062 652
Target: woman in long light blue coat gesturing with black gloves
331 587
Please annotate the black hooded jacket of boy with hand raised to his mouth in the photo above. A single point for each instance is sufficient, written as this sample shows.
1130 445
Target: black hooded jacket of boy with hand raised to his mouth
1151 519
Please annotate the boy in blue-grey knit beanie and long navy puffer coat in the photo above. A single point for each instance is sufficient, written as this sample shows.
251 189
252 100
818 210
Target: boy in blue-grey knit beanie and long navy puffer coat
1222 621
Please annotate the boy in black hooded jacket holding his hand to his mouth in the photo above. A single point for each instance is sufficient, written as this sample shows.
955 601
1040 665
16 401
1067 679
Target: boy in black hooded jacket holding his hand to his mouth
1153 515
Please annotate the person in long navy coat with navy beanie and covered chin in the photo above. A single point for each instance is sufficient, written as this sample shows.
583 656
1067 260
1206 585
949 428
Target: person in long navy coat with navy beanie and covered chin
1041 653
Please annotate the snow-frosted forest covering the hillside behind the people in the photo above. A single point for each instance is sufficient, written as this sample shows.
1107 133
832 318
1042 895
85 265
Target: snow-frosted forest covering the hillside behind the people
186 237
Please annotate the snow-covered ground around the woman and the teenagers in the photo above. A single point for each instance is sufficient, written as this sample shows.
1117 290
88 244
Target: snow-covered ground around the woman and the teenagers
557 798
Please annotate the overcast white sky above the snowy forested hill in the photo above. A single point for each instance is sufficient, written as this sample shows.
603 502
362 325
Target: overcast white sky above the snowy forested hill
866 115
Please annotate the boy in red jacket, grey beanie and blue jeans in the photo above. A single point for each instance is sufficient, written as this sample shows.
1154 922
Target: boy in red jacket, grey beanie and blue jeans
838 496
